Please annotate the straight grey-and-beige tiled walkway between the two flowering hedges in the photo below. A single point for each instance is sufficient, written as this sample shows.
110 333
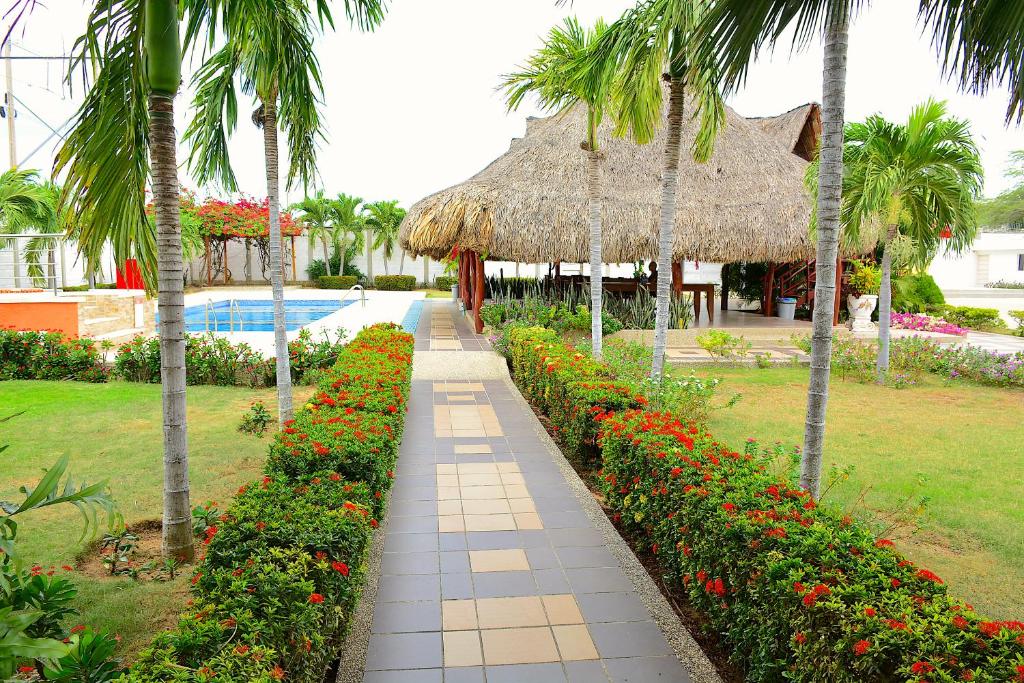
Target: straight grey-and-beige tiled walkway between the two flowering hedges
496 566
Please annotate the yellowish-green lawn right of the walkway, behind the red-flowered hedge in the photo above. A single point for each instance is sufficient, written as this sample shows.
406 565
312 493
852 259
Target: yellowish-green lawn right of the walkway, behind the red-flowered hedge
967 442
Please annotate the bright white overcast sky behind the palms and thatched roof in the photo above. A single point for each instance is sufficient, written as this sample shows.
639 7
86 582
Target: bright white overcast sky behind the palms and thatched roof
412 108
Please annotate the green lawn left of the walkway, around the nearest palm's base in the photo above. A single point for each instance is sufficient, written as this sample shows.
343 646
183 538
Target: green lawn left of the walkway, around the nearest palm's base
113 432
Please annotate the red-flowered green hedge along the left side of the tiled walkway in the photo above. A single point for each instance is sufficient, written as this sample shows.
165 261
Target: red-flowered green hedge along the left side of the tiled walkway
284 566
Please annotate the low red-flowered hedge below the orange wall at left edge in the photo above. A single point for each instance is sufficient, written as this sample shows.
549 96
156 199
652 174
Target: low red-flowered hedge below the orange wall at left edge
50 356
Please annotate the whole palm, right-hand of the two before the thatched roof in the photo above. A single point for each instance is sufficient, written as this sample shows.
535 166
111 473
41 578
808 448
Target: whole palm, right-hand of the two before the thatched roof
656 41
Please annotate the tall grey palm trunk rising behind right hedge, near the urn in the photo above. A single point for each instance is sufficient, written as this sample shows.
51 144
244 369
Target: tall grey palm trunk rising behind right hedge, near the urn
830 197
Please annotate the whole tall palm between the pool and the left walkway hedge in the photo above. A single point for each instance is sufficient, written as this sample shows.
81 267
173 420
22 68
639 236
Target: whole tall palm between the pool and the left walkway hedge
268 49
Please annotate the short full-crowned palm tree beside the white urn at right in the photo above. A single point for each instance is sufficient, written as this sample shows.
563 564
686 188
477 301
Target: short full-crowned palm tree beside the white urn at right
915 180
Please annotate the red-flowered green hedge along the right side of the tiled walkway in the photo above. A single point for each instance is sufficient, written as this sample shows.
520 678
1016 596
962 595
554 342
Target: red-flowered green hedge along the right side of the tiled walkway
800 592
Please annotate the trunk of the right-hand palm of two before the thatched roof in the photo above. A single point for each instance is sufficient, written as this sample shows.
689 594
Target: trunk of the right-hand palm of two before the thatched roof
670 184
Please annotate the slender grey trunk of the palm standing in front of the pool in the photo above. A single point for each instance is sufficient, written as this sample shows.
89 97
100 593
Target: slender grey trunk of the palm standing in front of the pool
277 281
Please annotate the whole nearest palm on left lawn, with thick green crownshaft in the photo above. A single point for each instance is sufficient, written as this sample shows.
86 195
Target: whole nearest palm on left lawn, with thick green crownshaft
129 112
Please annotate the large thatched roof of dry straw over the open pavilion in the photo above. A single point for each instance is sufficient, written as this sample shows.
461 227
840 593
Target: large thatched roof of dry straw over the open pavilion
748 203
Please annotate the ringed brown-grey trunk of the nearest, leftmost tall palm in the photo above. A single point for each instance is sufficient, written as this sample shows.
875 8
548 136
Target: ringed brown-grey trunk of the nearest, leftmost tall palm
178 535
